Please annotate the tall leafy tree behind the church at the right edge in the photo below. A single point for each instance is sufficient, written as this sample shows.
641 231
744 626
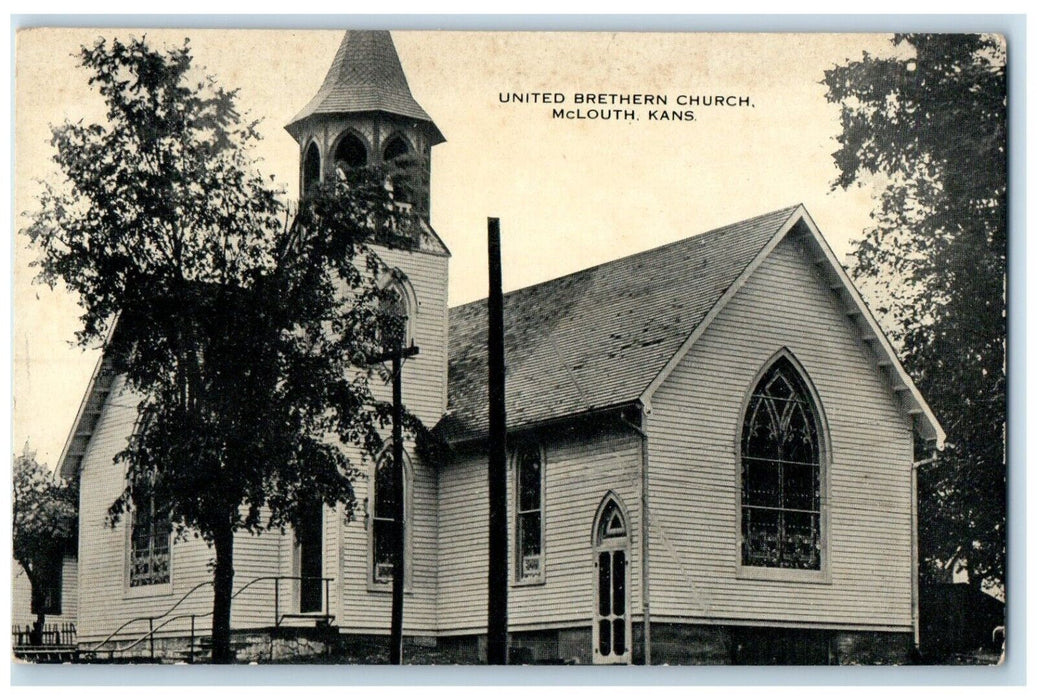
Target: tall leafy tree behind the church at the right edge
931 123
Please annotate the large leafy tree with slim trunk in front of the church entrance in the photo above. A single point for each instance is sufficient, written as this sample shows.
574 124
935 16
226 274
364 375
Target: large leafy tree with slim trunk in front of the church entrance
245 339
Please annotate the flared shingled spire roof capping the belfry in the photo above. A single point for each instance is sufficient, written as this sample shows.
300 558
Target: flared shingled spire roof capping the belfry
367 76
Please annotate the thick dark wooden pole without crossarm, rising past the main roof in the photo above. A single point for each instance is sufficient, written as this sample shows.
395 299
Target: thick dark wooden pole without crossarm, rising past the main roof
497 600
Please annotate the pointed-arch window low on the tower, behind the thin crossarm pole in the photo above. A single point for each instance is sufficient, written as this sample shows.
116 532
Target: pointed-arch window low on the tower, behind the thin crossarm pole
382 509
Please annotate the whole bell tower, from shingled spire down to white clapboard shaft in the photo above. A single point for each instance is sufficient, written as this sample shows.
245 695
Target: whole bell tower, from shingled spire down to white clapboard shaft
365 115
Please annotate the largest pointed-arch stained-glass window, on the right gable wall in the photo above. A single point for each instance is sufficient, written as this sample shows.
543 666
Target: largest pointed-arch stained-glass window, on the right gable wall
782 473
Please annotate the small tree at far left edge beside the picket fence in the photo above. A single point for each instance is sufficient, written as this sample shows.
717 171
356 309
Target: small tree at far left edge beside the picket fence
45 525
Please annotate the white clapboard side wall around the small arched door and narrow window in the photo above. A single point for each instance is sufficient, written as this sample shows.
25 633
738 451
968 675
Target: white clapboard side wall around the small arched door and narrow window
579 472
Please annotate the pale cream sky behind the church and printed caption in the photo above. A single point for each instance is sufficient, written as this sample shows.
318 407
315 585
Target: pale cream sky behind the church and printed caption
571 193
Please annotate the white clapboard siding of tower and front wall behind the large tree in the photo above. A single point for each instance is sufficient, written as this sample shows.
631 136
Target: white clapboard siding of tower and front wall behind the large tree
106 600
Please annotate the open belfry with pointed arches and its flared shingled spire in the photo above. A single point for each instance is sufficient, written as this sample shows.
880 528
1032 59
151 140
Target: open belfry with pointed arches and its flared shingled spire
365 115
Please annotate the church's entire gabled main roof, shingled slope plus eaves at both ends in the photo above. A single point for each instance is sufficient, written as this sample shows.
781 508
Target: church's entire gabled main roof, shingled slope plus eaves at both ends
609 335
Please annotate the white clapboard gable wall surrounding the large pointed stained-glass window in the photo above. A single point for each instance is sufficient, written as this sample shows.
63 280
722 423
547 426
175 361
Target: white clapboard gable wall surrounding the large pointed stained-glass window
694 465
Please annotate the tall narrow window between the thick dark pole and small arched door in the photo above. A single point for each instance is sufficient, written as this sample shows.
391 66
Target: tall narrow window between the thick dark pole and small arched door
529 514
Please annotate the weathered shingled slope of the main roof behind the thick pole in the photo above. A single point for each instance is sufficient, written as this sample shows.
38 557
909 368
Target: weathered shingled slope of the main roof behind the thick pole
598 338
